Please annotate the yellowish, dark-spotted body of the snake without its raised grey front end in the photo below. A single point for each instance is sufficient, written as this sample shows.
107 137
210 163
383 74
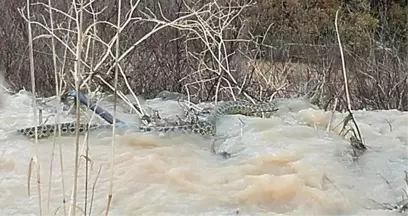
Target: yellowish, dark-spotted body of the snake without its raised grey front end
207 127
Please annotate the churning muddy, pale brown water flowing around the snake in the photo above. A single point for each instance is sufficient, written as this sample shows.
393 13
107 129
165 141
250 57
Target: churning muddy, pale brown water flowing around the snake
283 165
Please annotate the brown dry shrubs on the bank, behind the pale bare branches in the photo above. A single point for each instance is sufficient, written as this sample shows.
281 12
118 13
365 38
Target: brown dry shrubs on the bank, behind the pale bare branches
290 49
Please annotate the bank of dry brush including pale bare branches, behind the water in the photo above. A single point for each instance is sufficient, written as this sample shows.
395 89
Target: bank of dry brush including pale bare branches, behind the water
217 49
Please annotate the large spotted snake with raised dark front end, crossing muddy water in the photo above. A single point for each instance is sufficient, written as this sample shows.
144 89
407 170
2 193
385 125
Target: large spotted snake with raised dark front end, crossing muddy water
203 127
